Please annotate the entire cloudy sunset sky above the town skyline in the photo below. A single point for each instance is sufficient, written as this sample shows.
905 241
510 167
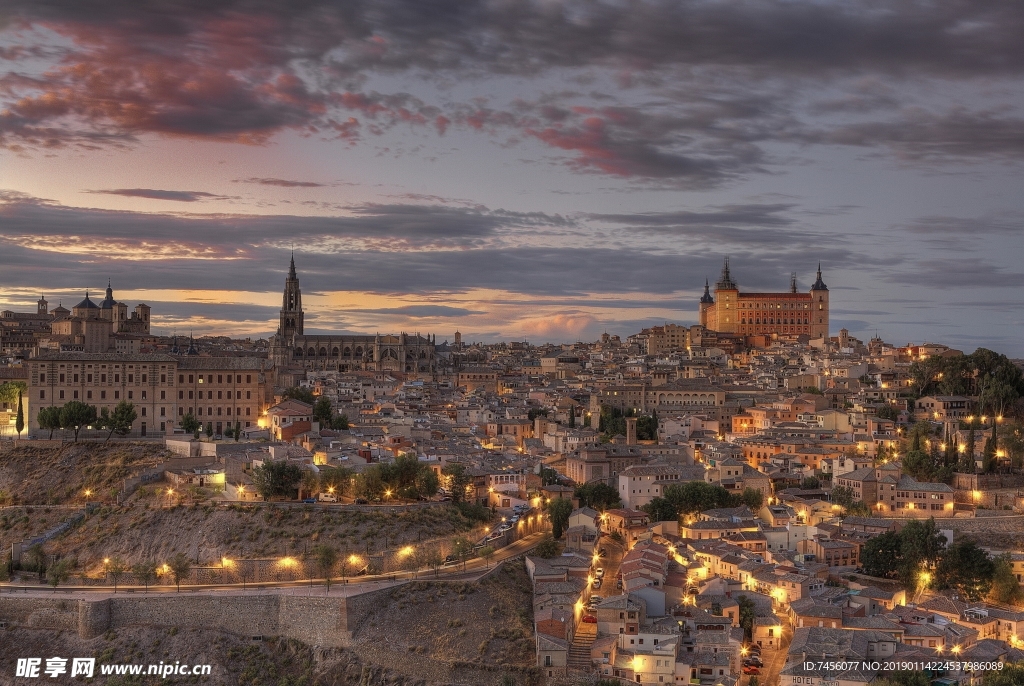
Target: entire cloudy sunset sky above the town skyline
517 169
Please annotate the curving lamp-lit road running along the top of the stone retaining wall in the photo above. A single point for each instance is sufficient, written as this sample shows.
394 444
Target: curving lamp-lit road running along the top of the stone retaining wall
473 570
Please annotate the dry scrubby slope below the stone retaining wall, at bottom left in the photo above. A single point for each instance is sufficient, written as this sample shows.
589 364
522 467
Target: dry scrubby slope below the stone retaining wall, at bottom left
429 634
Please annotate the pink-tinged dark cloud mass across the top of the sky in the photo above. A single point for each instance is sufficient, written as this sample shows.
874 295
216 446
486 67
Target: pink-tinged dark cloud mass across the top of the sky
243 71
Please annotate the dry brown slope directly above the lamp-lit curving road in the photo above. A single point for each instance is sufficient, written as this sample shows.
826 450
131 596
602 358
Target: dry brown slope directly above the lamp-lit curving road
140 533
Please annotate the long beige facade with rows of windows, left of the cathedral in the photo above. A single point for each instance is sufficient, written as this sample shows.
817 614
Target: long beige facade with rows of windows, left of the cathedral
219 392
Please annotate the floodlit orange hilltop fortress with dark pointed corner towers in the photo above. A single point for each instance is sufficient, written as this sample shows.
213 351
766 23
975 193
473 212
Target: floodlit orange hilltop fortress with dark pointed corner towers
792 314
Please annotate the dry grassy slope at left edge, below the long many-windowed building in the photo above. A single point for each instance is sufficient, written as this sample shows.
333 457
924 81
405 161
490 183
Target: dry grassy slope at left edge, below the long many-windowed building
36 476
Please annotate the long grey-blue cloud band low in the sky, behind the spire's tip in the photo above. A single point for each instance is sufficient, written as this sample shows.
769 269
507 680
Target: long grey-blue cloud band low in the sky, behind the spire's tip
382 248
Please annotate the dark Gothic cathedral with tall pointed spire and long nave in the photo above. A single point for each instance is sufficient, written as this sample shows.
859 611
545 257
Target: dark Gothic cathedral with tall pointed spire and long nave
294 353
